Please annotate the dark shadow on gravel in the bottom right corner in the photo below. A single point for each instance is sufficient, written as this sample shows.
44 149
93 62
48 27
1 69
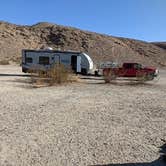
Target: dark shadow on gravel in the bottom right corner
161 161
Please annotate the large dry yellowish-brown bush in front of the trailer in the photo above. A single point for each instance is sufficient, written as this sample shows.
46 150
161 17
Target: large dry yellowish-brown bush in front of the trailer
57 74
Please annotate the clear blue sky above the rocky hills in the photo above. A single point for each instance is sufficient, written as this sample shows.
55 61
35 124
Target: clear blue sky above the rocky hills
139 19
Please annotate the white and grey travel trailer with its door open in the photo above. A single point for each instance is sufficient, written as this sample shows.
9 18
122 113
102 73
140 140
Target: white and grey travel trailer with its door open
43 59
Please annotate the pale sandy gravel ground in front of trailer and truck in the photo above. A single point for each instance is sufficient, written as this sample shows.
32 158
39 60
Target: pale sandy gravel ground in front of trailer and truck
89 123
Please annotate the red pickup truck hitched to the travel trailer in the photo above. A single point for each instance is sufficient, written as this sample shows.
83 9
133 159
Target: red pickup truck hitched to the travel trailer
130 70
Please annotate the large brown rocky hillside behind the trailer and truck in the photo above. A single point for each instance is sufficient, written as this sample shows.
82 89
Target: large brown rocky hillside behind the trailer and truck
14 38
